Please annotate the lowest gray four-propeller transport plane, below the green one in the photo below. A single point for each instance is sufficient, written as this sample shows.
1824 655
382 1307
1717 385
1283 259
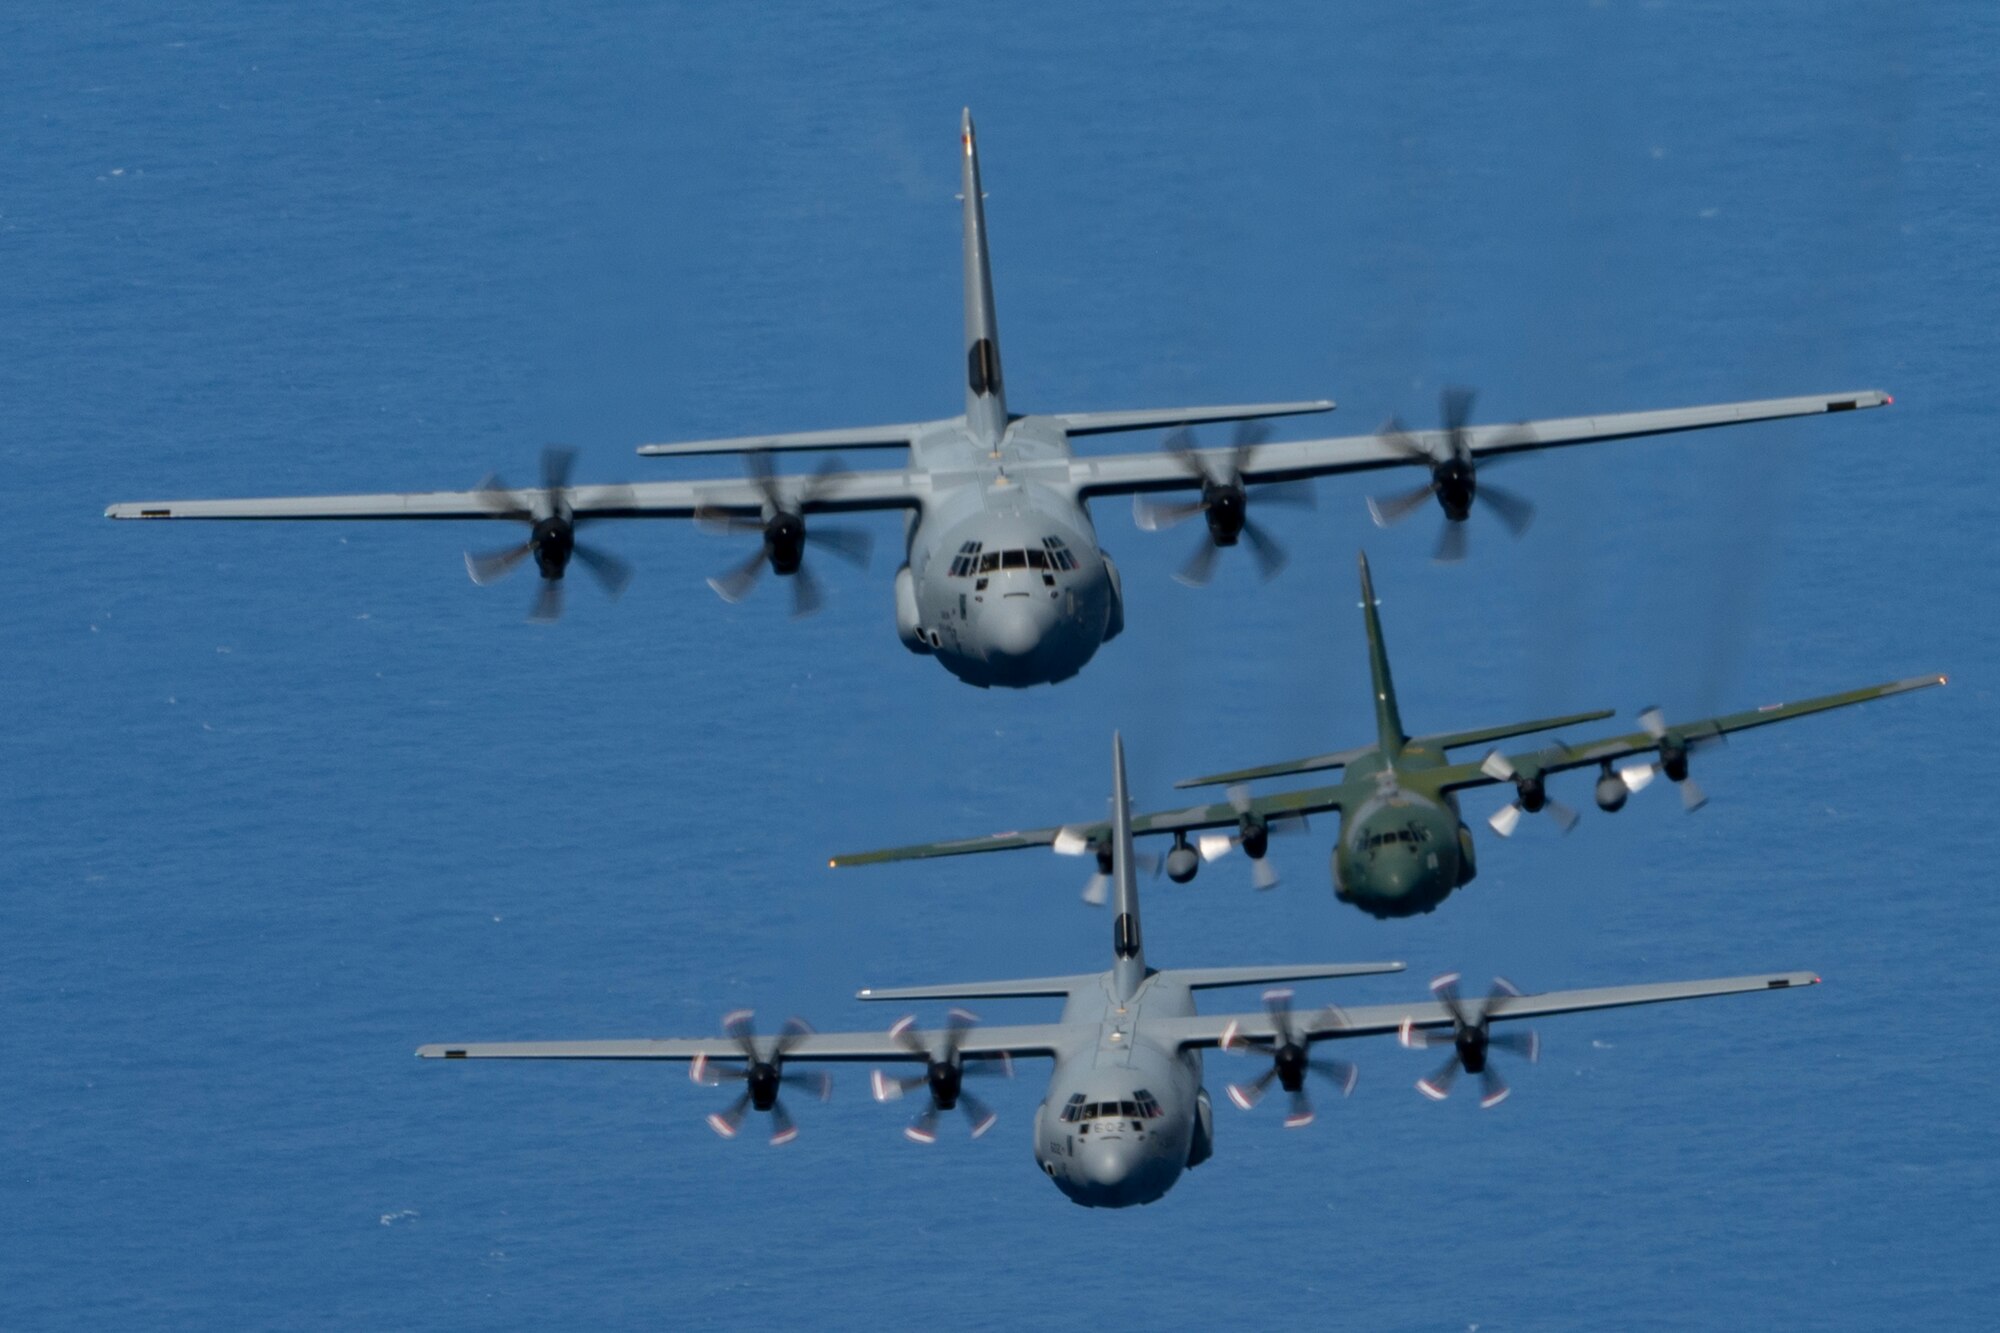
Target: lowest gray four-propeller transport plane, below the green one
1125 1110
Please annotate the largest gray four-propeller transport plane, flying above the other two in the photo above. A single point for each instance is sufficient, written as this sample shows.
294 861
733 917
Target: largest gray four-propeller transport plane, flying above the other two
1003 579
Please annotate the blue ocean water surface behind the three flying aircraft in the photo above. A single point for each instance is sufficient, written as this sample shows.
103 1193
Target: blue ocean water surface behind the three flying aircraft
285 802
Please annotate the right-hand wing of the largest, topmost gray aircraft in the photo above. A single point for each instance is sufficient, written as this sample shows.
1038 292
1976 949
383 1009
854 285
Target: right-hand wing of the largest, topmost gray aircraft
1303 459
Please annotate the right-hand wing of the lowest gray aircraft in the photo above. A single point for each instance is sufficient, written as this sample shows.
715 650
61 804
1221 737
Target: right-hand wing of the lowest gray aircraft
1379 1020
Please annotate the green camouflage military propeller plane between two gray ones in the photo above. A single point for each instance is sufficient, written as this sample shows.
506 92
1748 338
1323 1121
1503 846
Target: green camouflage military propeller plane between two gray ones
1403 846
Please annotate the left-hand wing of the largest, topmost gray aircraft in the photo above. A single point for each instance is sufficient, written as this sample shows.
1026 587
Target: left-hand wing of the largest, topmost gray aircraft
853 491
